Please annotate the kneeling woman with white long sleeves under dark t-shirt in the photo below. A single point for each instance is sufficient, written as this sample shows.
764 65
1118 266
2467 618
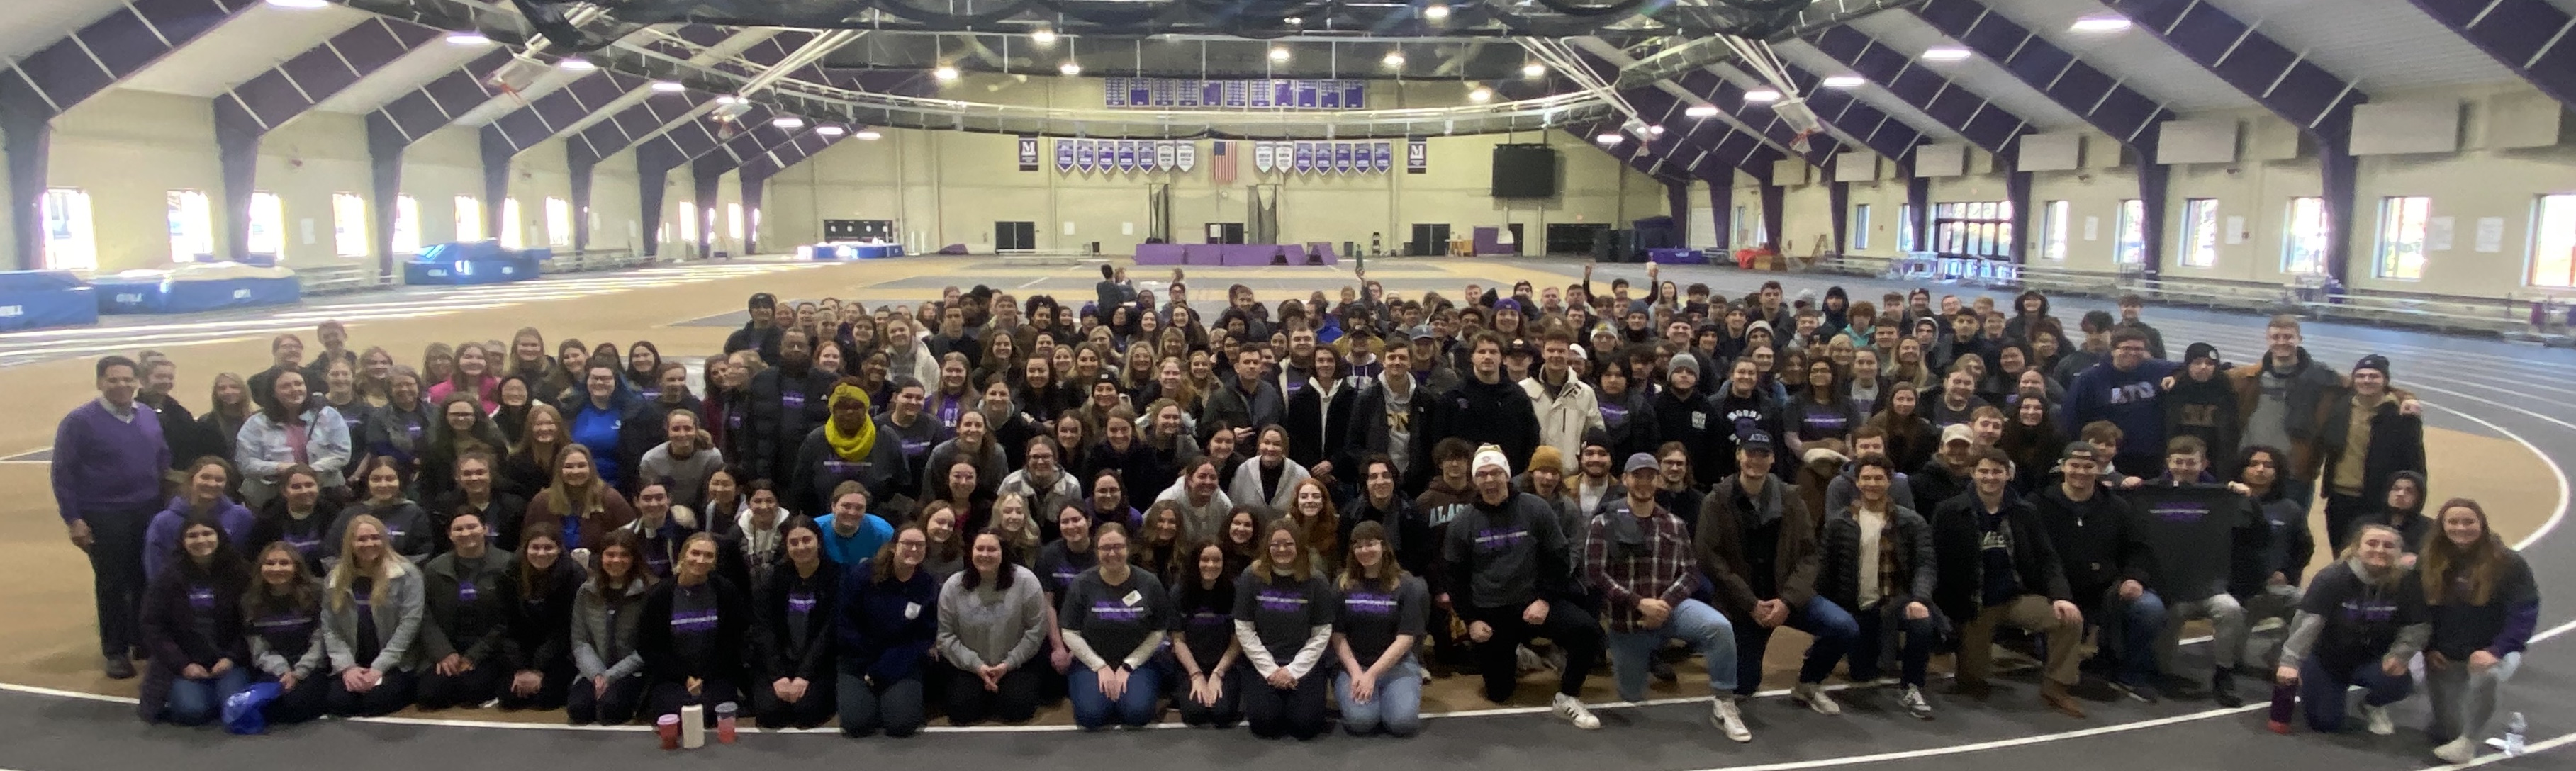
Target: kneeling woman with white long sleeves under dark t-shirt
1284 620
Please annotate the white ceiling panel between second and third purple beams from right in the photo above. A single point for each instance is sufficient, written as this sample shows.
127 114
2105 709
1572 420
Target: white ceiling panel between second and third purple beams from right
2137 58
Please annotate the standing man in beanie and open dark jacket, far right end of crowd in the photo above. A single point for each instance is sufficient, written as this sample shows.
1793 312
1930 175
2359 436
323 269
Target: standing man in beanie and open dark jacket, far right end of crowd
2371 434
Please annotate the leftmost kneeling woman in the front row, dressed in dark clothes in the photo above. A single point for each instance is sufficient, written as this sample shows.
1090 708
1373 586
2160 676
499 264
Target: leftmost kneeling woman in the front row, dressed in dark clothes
192 630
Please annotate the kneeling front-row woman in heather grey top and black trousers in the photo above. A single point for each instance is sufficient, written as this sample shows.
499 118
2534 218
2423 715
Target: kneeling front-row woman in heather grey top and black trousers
993 625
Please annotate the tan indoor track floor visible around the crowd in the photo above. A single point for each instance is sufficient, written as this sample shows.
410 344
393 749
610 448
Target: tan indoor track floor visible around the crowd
53 630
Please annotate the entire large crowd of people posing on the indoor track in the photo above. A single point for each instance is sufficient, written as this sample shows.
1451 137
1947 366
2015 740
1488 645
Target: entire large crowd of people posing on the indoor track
1284 514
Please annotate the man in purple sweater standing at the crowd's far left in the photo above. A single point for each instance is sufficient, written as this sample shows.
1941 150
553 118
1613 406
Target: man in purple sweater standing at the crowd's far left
109 460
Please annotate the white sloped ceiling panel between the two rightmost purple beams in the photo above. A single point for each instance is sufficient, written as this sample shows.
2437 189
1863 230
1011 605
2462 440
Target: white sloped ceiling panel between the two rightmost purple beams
2356 40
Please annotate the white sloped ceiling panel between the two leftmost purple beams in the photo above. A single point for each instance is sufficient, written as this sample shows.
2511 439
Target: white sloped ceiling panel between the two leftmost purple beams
238 50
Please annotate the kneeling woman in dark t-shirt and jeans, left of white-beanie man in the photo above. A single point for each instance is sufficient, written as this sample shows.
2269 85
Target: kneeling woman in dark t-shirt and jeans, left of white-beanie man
1385 612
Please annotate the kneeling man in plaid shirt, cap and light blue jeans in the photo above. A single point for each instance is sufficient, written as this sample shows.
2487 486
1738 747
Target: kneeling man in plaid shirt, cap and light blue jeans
1645 569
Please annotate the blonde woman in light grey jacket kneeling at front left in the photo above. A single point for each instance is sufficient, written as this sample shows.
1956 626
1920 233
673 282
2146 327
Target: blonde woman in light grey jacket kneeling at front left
372 612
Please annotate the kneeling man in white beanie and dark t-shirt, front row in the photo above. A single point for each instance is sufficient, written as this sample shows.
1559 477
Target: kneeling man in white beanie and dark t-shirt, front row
1511 581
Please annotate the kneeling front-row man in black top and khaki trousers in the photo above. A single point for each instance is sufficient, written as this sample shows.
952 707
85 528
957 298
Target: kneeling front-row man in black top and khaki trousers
2000 569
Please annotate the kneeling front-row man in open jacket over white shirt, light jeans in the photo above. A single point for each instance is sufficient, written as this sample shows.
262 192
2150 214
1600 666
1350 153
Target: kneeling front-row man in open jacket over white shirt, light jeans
1879 563
